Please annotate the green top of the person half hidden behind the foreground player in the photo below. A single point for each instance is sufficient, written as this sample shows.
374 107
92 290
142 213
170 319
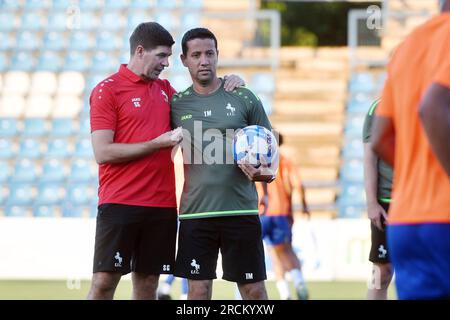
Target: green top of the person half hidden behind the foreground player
385 173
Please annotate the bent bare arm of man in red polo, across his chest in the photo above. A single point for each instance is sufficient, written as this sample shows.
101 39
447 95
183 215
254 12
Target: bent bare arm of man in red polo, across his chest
107 151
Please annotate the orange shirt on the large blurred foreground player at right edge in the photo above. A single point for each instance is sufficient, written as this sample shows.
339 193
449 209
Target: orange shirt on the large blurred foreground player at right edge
421 190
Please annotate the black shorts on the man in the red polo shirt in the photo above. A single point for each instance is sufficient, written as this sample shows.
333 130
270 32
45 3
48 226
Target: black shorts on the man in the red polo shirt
135 238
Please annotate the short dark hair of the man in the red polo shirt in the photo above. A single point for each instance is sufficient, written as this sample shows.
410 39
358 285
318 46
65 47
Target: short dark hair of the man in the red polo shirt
150 35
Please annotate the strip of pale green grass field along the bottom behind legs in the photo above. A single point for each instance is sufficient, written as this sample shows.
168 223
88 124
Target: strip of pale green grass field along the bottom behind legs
60 290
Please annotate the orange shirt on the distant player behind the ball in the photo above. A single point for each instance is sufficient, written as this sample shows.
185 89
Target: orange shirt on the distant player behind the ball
280 190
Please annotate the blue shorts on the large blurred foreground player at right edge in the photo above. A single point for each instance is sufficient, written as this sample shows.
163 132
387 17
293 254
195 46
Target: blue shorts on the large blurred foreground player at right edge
420 255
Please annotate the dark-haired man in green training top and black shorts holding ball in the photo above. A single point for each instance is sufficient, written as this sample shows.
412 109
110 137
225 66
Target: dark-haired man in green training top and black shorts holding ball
219 203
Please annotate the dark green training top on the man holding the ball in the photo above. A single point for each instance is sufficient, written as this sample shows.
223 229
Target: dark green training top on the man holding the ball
214 185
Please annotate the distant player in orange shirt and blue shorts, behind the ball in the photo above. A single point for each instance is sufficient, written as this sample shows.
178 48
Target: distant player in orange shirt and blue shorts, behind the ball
277 220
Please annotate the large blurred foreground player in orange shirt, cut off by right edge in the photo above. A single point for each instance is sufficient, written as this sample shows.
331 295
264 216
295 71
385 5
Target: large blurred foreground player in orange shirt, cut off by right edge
411 132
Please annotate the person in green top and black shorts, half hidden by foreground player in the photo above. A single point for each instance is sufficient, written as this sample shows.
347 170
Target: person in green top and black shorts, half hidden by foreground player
378 185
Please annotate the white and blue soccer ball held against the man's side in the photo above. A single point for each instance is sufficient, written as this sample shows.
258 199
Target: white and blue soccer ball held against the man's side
257 146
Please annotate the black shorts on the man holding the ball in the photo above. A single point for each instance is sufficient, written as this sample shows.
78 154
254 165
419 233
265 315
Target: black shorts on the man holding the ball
240 244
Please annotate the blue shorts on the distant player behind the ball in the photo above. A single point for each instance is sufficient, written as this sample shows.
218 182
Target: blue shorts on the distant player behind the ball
276 229
